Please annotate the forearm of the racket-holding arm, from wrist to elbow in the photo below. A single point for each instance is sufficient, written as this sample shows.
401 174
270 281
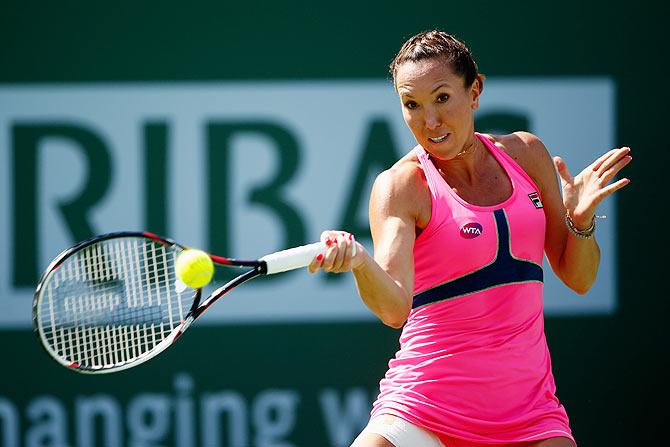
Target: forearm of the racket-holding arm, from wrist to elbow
383 295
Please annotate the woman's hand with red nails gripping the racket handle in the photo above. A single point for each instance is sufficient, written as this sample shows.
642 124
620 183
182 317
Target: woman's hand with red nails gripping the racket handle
342 253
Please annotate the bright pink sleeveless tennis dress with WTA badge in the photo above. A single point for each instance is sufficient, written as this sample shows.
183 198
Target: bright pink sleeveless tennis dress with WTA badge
473 363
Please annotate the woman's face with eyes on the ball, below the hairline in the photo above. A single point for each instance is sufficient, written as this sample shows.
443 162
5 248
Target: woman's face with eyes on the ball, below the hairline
437 106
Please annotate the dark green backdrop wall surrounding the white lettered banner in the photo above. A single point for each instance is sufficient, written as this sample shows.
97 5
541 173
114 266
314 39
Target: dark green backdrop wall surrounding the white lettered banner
611 370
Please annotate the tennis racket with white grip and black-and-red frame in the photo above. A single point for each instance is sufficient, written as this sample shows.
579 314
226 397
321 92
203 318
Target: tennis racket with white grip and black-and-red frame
114 301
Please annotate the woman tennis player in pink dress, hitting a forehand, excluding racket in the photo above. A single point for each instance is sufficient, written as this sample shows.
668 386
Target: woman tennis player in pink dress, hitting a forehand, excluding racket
460 225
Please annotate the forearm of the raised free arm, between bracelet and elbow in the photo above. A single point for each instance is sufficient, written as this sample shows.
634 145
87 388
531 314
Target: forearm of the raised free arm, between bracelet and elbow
579 263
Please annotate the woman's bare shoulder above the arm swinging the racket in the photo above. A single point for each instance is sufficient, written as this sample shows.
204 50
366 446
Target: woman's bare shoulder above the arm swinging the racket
402 190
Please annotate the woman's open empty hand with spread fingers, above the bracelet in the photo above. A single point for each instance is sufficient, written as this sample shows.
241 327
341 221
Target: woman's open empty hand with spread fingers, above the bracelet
583 193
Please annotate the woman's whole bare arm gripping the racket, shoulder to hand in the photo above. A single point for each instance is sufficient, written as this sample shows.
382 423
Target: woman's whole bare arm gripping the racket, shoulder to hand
385 282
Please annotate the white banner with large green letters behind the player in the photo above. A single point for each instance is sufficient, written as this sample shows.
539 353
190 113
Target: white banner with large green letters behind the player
248 168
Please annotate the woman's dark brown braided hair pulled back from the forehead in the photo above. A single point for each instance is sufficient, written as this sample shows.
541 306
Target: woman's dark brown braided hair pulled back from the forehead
438 44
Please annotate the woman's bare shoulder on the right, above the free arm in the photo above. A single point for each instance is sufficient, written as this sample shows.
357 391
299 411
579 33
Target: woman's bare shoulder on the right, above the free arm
530 153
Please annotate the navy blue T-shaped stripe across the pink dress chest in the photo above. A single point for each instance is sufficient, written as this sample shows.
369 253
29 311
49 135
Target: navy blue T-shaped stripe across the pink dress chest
505 269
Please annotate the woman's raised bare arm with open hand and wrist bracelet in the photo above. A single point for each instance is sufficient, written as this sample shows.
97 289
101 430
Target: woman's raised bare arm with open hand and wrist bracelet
574 259
